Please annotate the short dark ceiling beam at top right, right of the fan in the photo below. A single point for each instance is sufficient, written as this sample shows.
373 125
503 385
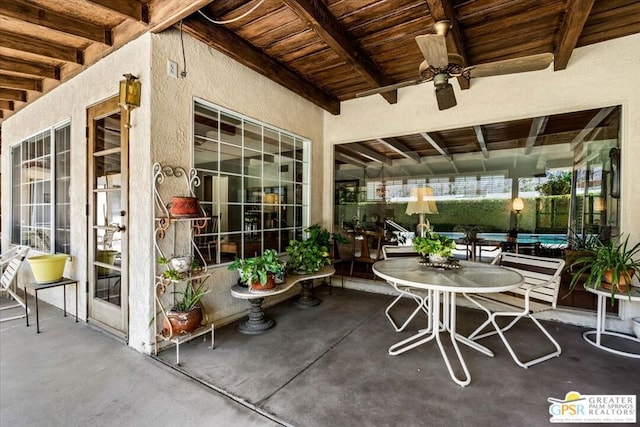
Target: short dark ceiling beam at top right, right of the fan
574 19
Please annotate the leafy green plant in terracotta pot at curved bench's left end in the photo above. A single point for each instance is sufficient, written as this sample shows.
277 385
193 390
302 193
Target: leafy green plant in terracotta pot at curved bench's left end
259 272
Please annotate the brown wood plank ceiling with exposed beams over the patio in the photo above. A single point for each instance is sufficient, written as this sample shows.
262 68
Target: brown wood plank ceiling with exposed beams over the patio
326 51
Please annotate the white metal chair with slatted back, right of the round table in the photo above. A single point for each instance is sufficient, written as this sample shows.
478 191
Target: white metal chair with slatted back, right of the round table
539 292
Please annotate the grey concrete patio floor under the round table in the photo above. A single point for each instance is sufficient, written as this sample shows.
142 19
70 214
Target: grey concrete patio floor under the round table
321 366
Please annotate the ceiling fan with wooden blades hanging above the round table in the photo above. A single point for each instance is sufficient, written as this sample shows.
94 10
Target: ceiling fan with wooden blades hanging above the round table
440 65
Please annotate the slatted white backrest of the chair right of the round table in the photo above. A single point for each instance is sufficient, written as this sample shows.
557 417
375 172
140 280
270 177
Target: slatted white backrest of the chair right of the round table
536 271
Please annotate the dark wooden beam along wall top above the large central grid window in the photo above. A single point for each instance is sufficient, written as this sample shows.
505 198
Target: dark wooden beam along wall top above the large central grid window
238 49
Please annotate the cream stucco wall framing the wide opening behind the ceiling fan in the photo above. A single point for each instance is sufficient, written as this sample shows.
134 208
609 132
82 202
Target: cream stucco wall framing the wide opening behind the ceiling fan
592 79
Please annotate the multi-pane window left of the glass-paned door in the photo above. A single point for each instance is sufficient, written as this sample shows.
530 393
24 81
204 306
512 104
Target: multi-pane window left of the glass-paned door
40 191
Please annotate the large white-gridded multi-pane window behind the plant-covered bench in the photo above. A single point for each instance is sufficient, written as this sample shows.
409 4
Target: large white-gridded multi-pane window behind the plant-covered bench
254 184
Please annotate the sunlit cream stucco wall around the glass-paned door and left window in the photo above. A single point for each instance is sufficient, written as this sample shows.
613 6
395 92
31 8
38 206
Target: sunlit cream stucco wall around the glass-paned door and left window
70 101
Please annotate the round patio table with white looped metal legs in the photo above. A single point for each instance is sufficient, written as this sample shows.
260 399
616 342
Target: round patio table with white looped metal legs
470 278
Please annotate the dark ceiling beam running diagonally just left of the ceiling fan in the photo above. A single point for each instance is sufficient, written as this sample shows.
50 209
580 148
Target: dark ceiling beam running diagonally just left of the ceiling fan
329 29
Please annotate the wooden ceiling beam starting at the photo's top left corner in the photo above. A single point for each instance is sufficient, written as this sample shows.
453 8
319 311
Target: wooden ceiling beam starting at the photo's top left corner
27 12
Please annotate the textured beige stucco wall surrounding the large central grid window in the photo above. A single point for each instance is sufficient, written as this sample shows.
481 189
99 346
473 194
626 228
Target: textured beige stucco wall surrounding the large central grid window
220 80
